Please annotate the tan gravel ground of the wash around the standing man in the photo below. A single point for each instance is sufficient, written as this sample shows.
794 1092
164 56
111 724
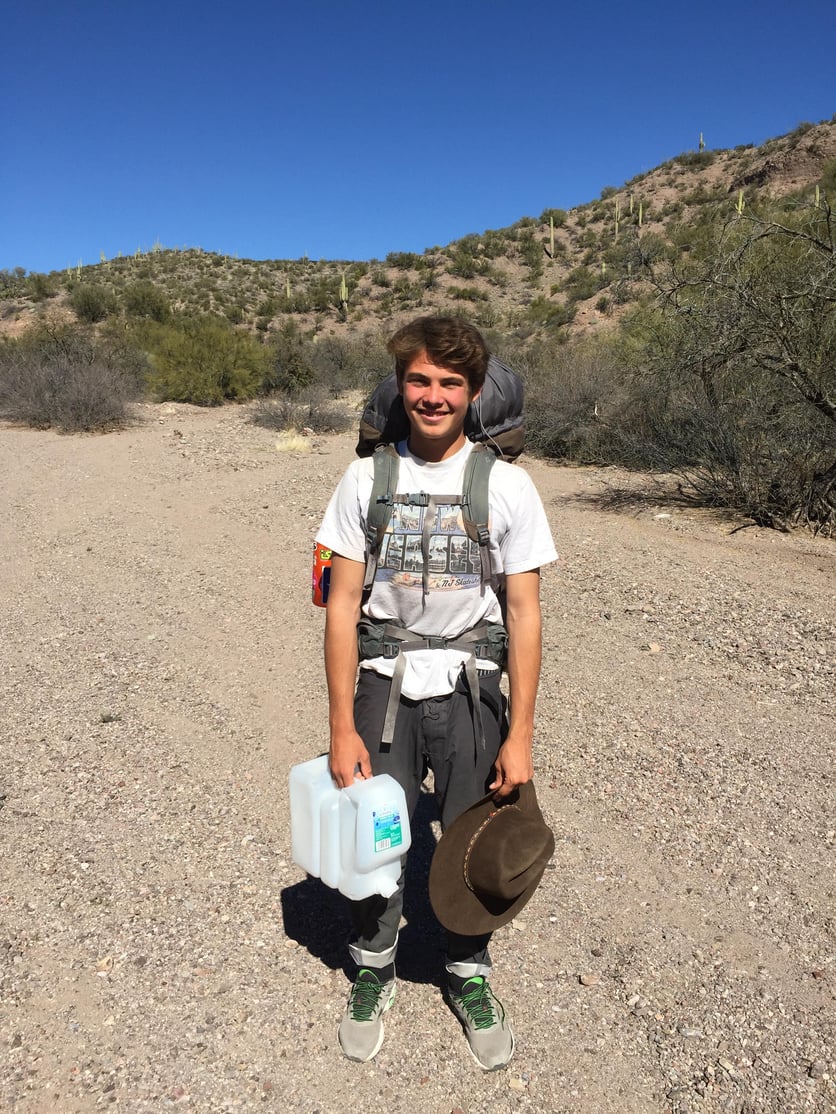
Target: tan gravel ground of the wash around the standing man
160 672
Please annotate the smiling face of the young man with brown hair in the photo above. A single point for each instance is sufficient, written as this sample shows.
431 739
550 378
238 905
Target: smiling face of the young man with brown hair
436 402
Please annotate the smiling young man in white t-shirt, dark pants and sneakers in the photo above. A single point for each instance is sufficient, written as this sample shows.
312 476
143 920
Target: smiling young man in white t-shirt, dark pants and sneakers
450 712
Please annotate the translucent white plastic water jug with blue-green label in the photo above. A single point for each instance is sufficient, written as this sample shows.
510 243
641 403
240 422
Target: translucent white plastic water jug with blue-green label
352 838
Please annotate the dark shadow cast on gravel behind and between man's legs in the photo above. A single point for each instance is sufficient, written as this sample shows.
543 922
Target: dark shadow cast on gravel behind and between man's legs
317 917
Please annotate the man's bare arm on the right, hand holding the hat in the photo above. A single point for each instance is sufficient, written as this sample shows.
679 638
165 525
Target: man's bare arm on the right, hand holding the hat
514 765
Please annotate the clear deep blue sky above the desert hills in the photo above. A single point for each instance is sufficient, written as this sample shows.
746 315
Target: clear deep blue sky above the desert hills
270 130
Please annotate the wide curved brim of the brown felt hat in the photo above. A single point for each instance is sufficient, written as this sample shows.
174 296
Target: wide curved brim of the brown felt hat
456 906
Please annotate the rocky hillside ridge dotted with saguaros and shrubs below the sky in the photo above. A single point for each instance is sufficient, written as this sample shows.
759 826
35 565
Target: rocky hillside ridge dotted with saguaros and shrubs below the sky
566 272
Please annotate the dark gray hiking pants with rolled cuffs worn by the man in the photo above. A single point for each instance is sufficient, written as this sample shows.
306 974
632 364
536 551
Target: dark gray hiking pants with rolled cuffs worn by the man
439 734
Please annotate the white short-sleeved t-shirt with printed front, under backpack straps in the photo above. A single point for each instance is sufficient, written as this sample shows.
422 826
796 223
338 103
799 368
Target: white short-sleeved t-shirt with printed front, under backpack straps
521 541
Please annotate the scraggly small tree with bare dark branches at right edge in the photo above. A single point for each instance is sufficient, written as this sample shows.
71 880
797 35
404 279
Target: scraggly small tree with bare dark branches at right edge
736 377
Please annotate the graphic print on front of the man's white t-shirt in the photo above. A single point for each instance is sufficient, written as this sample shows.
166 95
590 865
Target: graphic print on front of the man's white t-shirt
454 559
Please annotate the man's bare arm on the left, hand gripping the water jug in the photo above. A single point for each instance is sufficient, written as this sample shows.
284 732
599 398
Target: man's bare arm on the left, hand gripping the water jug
348 750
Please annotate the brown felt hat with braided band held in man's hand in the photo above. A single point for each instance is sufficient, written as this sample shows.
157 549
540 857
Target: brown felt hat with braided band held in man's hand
490 862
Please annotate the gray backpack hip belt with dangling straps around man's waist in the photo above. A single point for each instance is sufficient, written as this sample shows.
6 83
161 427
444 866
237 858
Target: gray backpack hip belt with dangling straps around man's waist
487 642
